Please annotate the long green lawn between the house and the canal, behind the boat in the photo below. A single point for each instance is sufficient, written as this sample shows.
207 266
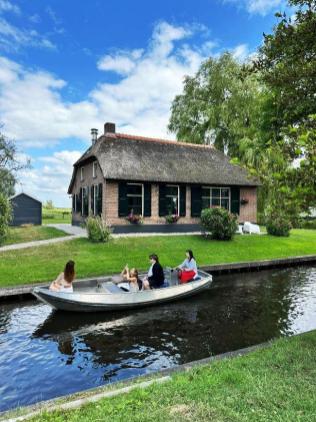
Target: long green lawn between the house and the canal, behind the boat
45 262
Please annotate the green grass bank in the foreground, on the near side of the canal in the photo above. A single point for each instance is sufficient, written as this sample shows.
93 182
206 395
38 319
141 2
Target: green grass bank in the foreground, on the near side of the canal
273 384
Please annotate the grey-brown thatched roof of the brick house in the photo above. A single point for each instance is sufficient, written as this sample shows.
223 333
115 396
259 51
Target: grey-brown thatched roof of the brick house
126 157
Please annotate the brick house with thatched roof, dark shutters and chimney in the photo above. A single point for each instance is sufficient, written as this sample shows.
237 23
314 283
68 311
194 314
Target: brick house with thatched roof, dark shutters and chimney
154 178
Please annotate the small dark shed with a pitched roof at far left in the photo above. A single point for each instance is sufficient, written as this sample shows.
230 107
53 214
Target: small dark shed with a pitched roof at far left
25 210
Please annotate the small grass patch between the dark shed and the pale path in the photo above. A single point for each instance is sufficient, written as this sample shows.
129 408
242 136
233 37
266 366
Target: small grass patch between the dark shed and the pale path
30 233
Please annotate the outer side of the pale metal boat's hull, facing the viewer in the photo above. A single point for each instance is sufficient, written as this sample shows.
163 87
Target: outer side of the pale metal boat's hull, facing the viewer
99 302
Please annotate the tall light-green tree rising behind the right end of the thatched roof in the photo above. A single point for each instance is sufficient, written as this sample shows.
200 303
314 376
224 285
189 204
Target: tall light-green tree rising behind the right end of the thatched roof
221 105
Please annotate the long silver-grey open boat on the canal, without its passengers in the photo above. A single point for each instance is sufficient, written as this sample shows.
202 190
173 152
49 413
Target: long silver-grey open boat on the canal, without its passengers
104 294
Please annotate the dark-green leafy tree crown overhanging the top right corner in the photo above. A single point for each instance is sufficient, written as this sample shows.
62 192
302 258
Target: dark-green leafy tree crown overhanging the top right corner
287 63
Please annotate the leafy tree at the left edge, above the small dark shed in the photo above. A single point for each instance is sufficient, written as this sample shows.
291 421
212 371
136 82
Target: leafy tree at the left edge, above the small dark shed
9 166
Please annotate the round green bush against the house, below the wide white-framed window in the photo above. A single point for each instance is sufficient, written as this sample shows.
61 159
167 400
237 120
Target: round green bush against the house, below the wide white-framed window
221 224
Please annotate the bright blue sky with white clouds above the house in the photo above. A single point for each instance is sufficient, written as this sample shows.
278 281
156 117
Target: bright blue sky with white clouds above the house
69 66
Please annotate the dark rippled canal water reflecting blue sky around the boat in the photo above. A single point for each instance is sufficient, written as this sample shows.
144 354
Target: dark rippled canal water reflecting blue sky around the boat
44 354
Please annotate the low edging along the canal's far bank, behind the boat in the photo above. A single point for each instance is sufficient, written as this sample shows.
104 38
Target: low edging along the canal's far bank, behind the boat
26 289
